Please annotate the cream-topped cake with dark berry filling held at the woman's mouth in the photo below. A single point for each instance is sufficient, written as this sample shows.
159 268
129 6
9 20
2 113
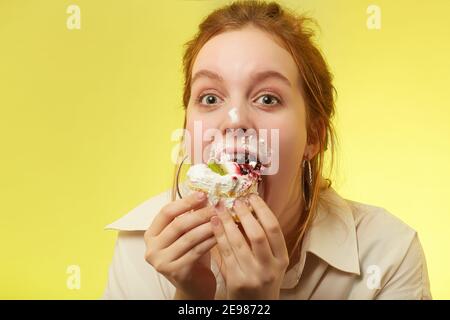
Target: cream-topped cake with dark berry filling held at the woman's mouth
230 173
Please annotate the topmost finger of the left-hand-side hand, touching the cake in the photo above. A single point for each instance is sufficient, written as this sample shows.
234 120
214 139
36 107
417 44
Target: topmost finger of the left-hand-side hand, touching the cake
175 208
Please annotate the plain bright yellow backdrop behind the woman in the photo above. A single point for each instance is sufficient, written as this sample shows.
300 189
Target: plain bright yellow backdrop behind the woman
86 117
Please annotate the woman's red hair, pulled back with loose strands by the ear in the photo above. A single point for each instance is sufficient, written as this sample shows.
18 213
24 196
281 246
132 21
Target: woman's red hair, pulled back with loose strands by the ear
295 34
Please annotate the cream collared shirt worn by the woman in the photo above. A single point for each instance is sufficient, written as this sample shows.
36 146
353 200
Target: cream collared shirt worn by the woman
351 251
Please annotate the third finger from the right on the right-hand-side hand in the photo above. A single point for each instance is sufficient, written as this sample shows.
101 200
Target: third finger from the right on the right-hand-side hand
236 239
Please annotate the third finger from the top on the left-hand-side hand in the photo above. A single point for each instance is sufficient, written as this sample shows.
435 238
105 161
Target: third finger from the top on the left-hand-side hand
188 241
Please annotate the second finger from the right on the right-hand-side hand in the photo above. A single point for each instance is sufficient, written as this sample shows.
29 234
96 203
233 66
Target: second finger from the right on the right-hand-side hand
255 233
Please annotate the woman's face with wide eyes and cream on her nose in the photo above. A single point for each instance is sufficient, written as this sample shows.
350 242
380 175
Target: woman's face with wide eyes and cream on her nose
245 79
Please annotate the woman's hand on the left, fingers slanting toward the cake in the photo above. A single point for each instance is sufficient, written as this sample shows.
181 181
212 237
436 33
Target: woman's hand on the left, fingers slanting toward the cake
178 243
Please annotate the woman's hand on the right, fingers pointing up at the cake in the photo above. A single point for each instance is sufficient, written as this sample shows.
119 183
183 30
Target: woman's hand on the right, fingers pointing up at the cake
254 271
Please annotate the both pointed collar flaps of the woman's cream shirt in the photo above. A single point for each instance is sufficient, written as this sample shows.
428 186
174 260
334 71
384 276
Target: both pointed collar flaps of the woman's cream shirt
331 235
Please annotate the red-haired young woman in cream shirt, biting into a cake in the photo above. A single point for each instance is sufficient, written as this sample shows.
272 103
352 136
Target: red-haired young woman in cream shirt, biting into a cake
253 65
